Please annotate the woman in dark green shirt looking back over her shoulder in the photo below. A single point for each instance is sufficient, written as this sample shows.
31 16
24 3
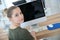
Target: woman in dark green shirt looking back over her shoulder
15 31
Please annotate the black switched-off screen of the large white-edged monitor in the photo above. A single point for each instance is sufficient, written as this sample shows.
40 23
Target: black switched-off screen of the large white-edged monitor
32 10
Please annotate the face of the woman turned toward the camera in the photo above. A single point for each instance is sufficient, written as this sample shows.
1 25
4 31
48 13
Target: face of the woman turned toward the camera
17 16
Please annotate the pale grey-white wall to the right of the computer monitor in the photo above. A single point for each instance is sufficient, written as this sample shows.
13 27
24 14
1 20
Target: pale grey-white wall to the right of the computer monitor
52 7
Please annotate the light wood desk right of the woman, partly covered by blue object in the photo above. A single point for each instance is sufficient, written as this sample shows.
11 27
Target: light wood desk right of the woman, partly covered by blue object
50 20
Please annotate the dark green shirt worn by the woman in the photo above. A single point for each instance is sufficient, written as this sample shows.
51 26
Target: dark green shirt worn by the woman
19 34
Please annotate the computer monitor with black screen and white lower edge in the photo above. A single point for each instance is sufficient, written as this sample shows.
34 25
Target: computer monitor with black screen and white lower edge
33 13
